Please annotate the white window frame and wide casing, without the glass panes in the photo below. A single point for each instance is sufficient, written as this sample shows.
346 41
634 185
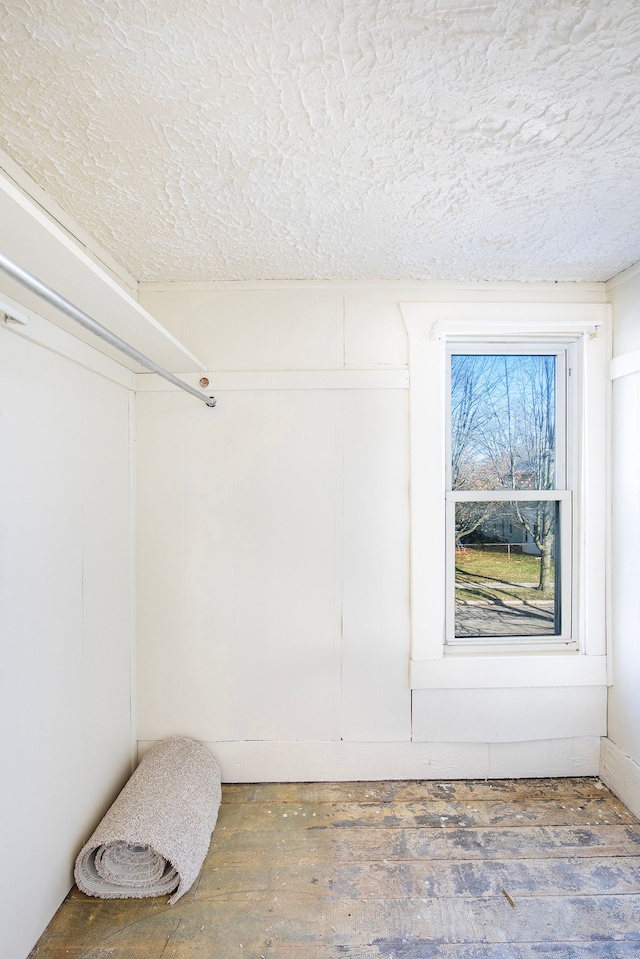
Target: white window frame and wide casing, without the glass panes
577 658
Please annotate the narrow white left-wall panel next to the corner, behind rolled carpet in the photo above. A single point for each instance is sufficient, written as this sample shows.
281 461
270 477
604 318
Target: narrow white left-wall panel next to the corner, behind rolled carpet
107 609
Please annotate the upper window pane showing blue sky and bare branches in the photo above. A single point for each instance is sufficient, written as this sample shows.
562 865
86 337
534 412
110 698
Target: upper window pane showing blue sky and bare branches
503 421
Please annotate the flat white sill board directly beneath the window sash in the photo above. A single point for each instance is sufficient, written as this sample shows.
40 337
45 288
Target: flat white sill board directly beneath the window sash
498 670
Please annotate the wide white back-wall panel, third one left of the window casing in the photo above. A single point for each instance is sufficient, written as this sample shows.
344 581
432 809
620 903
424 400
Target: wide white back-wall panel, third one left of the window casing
231 567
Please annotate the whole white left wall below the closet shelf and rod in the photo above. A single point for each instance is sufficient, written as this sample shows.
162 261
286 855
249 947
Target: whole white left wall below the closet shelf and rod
65 622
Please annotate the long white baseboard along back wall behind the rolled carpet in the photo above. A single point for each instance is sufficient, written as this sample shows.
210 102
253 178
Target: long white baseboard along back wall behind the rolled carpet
343 761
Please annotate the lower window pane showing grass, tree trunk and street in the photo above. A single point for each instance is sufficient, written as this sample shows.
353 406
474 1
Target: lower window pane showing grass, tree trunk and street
506 575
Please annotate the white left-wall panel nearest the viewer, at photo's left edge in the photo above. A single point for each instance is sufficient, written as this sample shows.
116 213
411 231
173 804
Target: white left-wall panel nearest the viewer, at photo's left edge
41 630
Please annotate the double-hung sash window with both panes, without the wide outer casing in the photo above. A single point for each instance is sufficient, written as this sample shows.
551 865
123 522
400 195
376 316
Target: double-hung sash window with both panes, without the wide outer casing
508 514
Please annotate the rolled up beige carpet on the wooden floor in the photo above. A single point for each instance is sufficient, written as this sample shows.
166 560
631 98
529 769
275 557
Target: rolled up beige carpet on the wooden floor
154 838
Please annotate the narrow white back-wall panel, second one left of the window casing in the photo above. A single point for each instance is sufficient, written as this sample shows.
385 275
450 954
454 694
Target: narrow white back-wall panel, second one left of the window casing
307 643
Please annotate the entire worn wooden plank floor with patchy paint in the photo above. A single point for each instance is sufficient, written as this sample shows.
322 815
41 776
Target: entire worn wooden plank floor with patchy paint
404 870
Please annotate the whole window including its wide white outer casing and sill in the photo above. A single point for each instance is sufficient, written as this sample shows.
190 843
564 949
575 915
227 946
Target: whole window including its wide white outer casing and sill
508 493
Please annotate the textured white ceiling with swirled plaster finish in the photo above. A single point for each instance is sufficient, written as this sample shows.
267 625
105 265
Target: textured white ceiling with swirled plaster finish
345 139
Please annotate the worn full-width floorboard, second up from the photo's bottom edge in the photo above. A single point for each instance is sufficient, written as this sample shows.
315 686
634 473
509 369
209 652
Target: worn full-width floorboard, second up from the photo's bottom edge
250 926
